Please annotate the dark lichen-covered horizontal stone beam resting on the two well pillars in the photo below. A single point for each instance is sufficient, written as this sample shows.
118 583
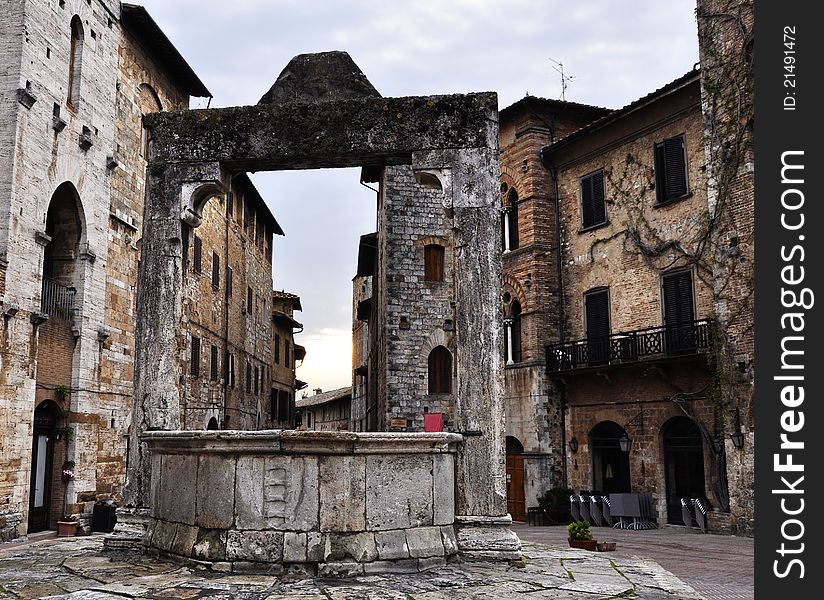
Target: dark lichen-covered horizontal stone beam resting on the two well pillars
349 132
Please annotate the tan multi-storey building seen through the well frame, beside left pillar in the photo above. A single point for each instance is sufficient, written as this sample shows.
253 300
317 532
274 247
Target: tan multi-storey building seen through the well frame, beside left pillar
229 309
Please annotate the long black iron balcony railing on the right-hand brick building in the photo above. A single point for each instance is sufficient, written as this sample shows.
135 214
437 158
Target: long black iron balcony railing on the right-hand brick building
631 346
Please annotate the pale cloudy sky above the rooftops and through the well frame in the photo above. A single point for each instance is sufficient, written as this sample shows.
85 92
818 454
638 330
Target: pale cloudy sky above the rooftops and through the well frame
616 51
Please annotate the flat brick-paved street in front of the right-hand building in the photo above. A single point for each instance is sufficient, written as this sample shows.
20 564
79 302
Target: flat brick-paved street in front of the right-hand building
720 567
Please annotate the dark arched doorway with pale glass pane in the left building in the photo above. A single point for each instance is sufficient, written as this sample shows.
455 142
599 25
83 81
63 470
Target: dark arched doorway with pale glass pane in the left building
42 465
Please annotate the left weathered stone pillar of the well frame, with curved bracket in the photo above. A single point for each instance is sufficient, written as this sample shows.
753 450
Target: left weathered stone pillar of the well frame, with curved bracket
175 195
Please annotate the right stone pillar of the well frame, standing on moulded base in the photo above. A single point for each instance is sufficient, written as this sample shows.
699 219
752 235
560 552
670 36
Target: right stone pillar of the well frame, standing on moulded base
469 180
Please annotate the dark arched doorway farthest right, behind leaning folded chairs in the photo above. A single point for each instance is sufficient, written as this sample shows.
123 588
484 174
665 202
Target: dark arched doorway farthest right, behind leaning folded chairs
683 465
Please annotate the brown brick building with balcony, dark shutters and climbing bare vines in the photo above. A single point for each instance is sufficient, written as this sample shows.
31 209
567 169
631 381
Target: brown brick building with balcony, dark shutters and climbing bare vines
627 289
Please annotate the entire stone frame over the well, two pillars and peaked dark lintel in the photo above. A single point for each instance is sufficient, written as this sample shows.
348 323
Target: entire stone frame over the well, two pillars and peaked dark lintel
321 113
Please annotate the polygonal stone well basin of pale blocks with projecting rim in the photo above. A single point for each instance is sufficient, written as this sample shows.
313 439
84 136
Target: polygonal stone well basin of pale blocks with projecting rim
342 503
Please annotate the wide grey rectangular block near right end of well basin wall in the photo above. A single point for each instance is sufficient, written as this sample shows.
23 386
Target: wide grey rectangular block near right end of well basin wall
398 491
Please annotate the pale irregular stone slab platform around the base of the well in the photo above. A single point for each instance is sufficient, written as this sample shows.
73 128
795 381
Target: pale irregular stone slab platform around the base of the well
78 569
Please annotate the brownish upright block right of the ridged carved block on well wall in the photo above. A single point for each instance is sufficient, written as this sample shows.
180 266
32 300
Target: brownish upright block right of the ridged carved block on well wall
342 481
